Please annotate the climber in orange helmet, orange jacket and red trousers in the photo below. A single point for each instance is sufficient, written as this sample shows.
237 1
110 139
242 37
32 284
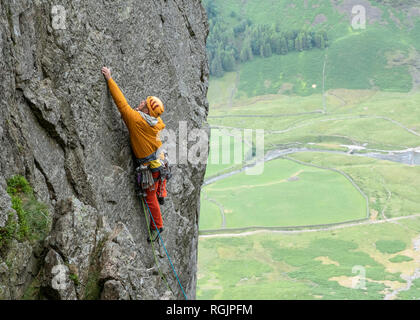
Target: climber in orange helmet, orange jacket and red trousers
144 124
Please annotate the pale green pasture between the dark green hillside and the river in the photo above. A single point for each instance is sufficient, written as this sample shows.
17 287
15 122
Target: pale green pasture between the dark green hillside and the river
373 118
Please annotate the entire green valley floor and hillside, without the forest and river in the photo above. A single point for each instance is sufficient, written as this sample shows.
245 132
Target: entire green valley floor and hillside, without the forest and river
368 101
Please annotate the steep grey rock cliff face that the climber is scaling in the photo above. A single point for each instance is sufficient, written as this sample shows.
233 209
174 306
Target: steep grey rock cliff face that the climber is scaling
60 129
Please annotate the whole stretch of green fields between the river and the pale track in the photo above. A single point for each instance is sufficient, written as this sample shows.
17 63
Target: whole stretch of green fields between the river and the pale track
317 196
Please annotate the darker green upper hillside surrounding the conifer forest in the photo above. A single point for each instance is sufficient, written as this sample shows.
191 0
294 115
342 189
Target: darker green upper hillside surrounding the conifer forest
384 55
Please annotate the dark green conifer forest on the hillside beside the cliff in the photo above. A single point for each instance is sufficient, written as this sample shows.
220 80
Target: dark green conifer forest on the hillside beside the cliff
227 46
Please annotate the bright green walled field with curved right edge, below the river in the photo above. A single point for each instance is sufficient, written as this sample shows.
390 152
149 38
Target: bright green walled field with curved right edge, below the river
286 194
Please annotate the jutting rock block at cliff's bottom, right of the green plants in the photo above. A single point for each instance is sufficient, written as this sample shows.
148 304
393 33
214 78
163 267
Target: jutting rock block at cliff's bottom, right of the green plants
88 259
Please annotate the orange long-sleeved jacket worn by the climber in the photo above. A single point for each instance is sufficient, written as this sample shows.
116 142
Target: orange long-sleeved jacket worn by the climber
144 138
